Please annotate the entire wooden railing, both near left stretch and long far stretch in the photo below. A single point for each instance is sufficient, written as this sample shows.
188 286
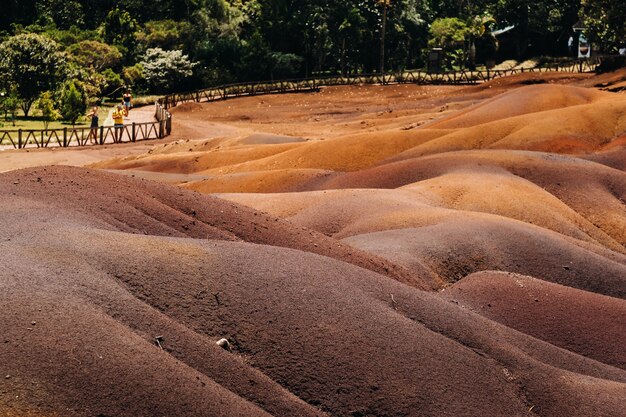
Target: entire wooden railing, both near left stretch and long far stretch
162 126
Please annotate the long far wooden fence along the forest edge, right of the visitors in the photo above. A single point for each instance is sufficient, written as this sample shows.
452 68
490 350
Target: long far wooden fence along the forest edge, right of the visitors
414 77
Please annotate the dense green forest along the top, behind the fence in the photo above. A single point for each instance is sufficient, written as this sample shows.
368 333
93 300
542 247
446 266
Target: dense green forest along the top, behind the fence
50 49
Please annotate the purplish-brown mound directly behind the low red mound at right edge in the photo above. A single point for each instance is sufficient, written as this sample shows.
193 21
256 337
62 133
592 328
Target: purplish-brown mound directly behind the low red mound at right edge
465 244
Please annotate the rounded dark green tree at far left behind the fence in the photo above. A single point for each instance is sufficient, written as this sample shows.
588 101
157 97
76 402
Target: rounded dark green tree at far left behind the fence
33 64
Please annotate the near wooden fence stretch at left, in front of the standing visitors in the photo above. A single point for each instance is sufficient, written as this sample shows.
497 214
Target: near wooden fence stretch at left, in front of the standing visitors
84 136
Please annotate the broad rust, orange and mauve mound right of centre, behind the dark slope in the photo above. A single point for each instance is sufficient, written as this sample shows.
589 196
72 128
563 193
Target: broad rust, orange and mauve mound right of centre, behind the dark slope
557 218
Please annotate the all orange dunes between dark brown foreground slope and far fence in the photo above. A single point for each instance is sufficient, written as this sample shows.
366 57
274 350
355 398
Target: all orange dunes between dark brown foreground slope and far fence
472 172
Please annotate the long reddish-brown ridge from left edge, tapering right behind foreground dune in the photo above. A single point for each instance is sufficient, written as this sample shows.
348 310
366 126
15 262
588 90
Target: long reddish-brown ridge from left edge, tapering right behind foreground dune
166 211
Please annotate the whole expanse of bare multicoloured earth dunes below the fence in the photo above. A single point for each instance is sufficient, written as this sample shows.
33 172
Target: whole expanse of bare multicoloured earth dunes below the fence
367 251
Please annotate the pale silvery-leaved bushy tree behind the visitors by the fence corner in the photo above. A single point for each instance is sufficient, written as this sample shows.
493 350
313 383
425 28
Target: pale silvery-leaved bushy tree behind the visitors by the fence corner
165 71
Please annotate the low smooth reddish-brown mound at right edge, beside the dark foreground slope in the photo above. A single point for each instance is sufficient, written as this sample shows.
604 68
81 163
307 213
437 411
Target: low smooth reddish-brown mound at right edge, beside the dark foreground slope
579 321
